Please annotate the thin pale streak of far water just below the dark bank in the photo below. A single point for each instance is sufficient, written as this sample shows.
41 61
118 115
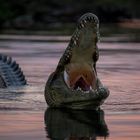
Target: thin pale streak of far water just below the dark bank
62 38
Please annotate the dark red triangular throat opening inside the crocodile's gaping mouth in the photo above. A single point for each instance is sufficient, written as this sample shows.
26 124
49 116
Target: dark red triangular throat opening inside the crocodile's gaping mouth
81 84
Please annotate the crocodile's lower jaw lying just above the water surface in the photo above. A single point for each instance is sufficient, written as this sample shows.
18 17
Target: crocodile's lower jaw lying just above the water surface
91 101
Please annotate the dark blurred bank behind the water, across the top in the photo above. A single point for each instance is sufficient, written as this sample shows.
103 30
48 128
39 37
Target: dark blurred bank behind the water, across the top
61 15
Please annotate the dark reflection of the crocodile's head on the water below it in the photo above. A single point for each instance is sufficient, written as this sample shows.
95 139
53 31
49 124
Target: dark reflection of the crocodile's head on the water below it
75 125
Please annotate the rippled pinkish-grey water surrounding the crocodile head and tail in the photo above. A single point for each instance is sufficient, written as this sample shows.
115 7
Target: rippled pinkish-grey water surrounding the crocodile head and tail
118 69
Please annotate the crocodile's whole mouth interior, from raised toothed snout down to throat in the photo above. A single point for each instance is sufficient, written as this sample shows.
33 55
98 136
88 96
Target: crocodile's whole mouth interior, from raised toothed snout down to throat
80 71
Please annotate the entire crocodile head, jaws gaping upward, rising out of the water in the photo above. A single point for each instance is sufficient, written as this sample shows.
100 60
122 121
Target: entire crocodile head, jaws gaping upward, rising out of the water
75 84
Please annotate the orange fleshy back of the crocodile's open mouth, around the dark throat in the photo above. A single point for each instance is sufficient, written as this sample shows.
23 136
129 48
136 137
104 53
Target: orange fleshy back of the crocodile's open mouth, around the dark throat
84 81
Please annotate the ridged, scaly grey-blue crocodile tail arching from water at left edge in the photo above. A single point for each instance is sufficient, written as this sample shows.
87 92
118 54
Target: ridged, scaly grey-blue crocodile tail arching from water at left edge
10 73
